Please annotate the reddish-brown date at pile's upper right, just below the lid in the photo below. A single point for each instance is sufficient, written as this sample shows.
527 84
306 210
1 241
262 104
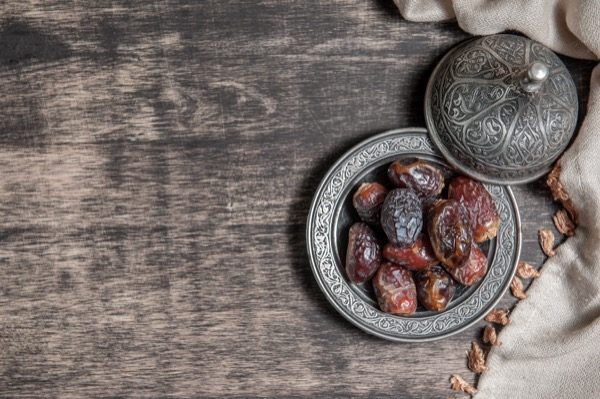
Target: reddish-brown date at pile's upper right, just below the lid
483 216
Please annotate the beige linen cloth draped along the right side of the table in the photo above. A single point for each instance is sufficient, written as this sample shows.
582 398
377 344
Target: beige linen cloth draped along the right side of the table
552 347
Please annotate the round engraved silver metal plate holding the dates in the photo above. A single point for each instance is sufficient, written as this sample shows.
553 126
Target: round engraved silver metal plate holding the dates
331 215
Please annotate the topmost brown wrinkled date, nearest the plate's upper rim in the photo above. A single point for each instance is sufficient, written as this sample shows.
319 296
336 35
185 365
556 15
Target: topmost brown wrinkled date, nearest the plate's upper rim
423 178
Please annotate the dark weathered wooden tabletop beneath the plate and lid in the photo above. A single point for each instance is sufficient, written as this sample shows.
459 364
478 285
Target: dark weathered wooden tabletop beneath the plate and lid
157 162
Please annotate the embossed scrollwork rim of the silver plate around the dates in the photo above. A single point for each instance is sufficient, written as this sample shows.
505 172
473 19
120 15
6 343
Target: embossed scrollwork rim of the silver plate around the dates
329 273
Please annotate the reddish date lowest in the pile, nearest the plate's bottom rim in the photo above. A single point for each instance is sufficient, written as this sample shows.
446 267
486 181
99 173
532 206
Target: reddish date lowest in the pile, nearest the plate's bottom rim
395 289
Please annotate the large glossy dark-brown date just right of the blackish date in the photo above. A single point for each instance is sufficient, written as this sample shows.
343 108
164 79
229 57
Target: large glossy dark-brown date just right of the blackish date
450 232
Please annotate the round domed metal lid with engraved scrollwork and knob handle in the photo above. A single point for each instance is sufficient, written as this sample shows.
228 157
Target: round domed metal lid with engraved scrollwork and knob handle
501 108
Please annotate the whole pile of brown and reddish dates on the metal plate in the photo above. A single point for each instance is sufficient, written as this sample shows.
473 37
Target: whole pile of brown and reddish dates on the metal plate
416 244
